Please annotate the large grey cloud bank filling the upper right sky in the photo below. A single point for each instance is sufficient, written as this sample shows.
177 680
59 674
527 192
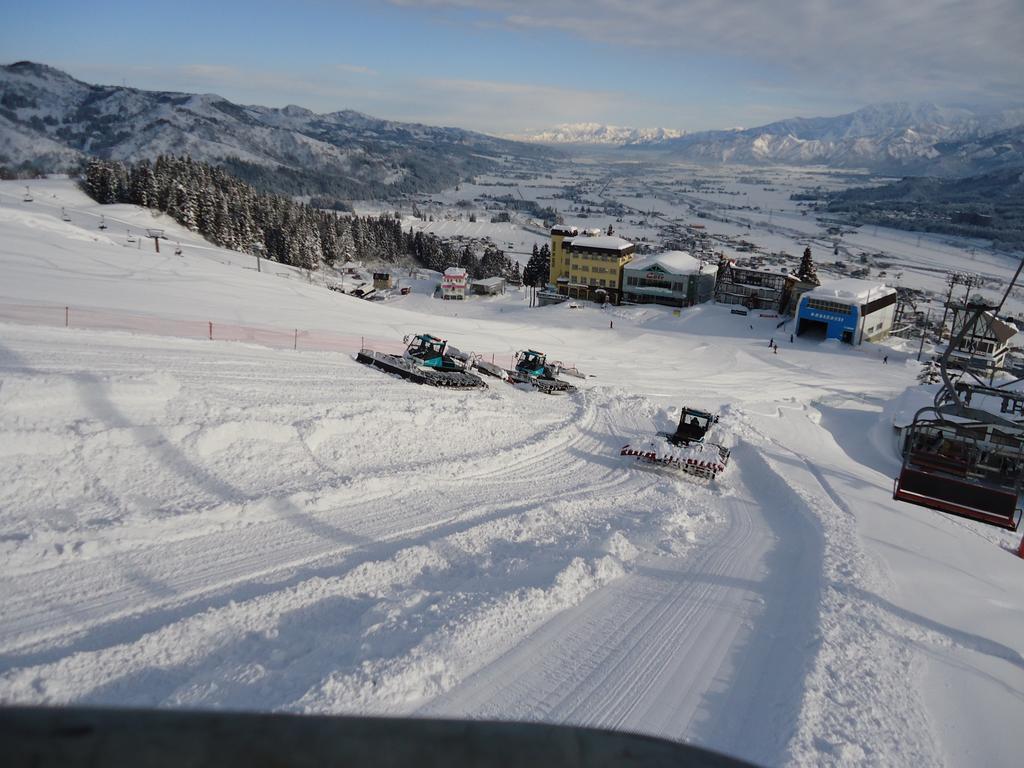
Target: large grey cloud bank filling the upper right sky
870 51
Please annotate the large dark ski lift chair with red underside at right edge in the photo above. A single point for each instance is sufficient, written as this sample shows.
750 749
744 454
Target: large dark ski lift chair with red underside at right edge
970 470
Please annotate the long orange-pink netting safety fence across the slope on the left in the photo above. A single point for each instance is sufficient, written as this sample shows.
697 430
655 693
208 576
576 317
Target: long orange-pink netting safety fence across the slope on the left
142 323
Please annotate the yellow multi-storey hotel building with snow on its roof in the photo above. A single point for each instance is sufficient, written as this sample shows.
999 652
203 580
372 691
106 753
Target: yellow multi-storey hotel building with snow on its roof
588 268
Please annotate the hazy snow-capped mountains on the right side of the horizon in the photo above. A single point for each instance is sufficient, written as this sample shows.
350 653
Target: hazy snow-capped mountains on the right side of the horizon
899 139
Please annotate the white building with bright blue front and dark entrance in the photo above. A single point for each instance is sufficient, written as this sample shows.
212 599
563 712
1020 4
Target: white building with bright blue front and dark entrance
851 311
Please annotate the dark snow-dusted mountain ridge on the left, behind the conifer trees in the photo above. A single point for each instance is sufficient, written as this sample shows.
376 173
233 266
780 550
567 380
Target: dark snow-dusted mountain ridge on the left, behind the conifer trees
51 121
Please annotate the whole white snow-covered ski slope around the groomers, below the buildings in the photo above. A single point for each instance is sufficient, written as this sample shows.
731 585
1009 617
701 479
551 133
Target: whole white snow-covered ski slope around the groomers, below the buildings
218 525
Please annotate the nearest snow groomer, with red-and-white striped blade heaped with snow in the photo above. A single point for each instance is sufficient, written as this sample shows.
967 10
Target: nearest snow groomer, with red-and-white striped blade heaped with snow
687 449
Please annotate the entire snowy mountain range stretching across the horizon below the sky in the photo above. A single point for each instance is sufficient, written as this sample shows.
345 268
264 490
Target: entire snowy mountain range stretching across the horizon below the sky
52 122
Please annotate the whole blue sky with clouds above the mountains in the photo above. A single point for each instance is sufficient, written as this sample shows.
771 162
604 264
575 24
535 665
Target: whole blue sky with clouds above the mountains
507 67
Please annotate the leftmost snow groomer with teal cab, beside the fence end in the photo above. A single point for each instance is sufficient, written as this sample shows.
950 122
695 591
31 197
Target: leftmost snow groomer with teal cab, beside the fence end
428 360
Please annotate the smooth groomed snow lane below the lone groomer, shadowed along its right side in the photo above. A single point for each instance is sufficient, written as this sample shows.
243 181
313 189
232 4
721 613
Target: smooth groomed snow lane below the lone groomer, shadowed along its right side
708 648
